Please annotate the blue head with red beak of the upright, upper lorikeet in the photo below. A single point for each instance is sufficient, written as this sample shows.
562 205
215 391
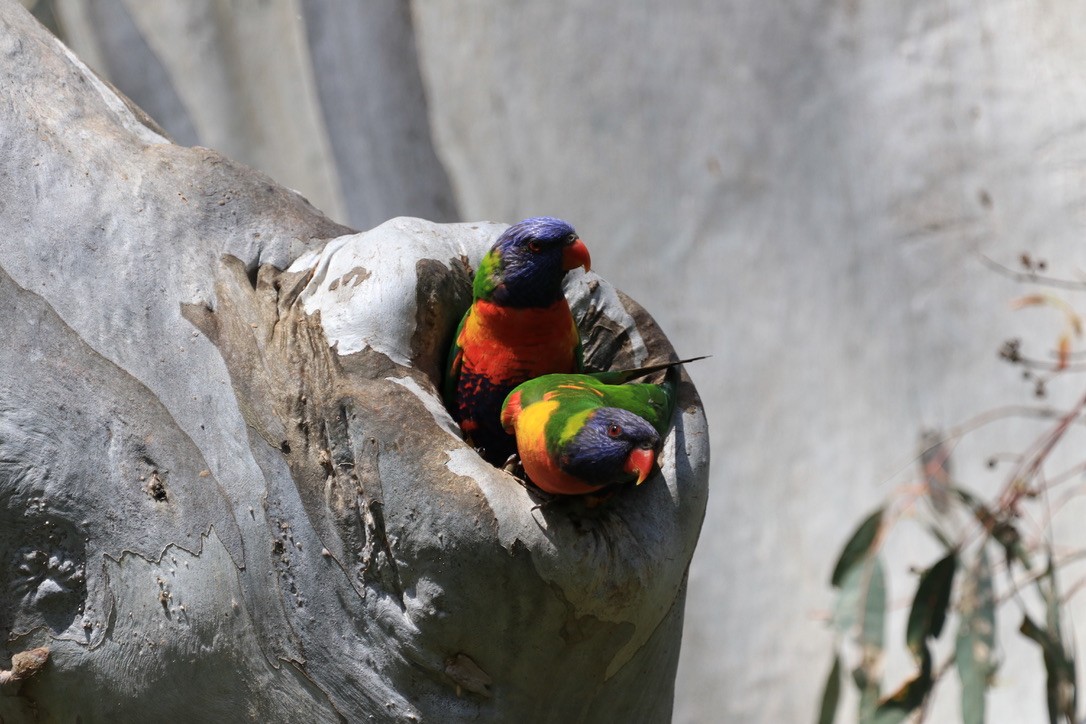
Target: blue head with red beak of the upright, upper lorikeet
526 265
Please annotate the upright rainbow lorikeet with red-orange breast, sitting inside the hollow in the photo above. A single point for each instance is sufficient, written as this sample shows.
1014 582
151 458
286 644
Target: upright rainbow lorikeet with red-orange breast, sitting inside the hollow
519 327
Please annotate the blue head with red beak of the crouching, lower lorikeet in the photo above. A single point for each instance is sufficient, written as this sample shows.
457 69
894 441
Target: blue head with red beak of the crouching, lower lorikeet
613 447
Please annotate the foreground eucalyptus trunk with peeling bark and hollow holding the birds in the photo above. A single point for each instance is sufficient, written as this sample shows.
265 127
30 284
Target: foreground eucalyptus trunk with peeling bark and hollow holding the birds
229 488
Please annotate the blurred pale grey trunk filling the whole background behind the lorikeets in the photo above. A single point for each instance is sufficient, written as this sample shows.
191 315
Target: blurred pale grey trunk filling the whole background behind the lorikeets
804 190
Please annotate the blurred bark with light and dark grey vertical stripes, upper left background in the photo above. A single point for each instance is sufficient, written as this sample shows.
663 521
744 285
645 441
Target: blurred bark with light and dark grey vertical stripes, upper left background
323 96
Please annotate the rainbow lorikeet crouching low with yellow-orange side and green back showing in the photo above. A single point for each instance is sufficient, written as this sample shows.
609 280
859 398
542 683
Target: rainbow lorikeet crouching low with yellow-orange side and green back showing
580 434
